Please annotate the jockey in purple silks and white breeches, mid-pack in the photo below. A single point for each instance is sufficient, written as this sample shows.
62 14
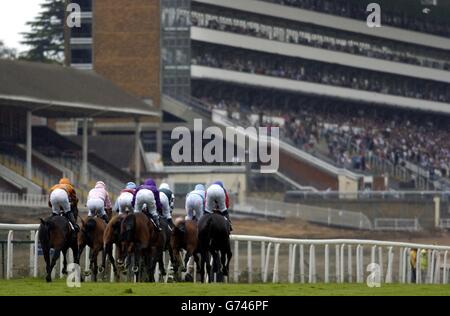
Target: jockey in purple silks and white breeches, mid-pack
147 195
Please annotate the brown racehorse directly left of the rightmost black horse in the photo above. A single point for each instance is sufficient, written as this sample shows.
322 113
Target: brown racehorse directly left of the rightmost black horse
185 236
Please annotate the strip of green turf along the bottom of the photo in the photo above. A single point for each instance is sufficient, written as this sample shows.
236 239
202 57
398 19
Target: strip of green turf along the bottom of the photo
33 287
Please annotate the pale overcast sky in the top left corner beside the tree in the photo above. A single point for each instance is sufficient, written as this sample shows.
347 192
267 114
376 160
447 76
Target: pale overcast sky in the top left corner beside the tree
13 16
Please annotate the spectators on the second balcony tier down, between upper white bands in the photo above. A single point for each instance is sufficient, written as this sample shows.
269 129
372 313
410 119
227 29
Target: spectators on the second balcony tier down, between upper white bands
306 35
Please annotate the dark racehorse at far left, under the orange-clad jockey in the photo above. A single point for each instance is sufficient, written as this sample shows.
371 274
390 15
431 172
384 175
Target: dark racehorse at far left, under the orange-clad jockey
56 232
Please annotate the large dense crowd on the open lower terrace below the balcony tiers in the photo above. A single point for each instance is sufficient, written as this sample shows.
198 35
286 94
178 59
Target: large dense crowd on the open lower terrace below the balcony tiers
352 136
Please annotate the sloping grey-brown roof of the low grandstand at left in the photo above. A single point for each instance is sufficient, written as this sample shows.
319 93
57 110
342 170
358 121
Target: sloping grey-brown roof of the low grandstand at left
57 91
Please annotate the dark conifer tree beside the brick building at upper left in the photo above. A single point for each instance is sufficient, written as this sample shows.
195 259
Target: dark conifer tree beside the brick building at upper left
46 38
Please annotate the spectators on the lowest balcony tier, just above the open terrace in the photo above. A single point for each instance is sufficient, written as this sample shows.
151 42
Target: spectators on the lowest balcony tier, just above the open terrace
311 71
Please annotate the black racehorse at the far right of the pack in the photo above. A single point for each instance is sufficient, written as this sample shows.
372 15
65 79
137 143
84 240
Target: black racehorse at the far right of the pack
214 239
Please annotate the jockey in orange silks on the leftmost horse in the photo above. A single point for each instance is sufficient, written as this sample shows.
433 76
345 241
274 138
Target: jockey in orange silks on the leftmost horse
63 197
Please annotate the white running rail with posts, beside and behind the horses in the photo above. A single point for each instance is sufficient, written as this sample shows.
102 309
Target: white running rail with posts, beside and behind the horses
308 261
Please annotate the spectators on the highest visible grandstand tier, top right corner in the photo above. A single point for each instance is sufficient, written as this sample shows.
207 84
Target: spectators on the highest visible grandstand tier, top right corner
358 11
